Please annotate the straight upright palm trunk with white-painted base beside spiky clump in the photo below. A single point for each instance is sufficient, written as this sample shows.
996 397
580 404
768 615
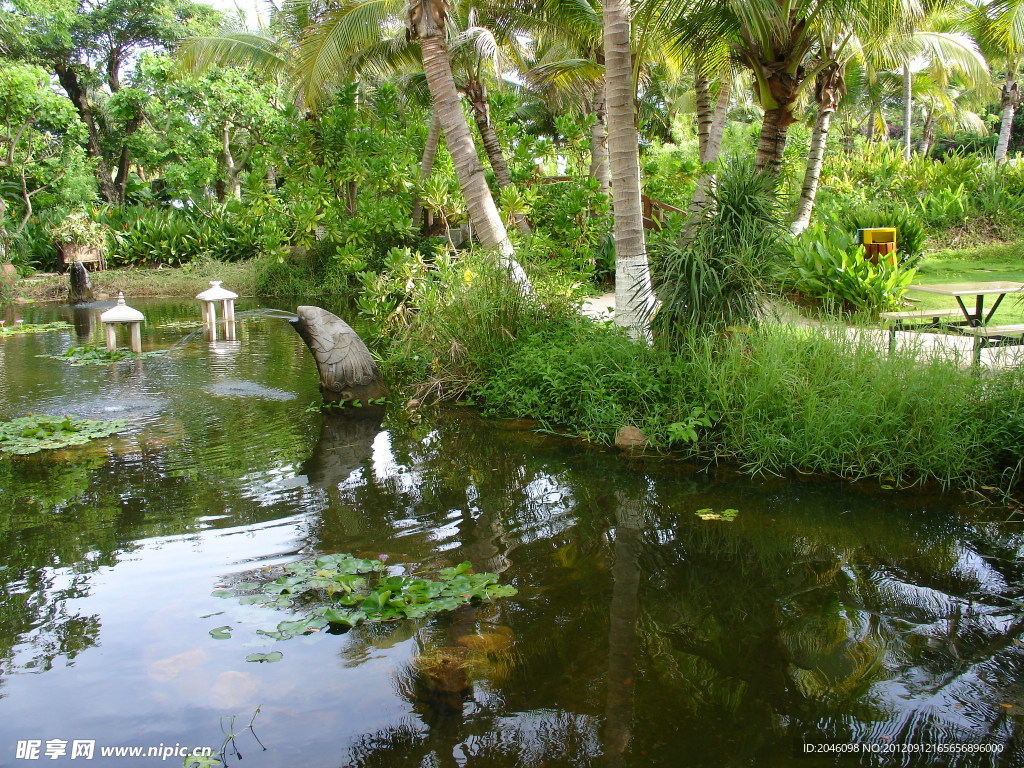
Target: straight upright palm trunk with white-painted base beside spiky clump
634 300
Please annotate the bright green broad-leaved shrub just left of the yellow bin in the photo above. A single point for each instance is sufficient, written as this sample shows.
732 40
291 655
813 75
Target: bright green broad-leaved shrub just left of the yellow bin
830 267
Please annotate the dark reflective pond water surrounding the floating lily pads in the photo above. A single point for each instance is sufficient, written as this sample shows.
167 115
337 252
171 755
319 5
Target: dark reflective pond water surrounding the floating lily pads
828 613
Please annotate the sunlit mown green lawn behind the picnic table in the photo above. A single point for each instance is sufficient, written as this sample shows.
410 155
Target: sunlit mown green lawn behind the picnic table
986 264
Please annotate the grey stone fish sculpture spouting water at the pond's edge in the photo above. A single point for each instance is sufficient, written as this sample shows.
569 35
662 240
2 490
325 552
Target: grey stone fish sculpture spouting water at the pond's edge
348 370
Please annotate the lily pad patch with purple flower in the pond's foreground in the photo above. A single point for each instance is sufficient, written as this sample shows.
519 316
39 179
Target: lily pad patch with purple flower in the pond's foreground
342 591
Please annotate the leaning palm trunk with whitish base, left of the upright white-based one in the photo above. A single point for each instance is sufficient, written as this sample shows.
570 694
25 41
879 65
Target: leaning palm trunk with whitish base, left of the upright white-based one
480 204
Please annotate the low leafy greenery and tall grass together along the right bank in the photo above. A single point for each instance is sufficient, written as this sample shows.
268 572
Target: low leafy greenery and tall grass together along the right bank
778 400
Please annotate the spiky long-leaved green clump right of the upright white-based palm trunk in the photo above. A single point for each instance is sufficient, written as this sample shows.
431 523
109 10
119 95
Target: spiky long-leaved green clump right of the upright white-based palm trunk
720 277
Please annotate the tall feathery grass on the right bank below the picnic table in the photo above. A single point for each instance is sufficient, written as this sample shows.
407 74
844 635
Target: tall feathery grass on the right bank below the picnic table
815 402
